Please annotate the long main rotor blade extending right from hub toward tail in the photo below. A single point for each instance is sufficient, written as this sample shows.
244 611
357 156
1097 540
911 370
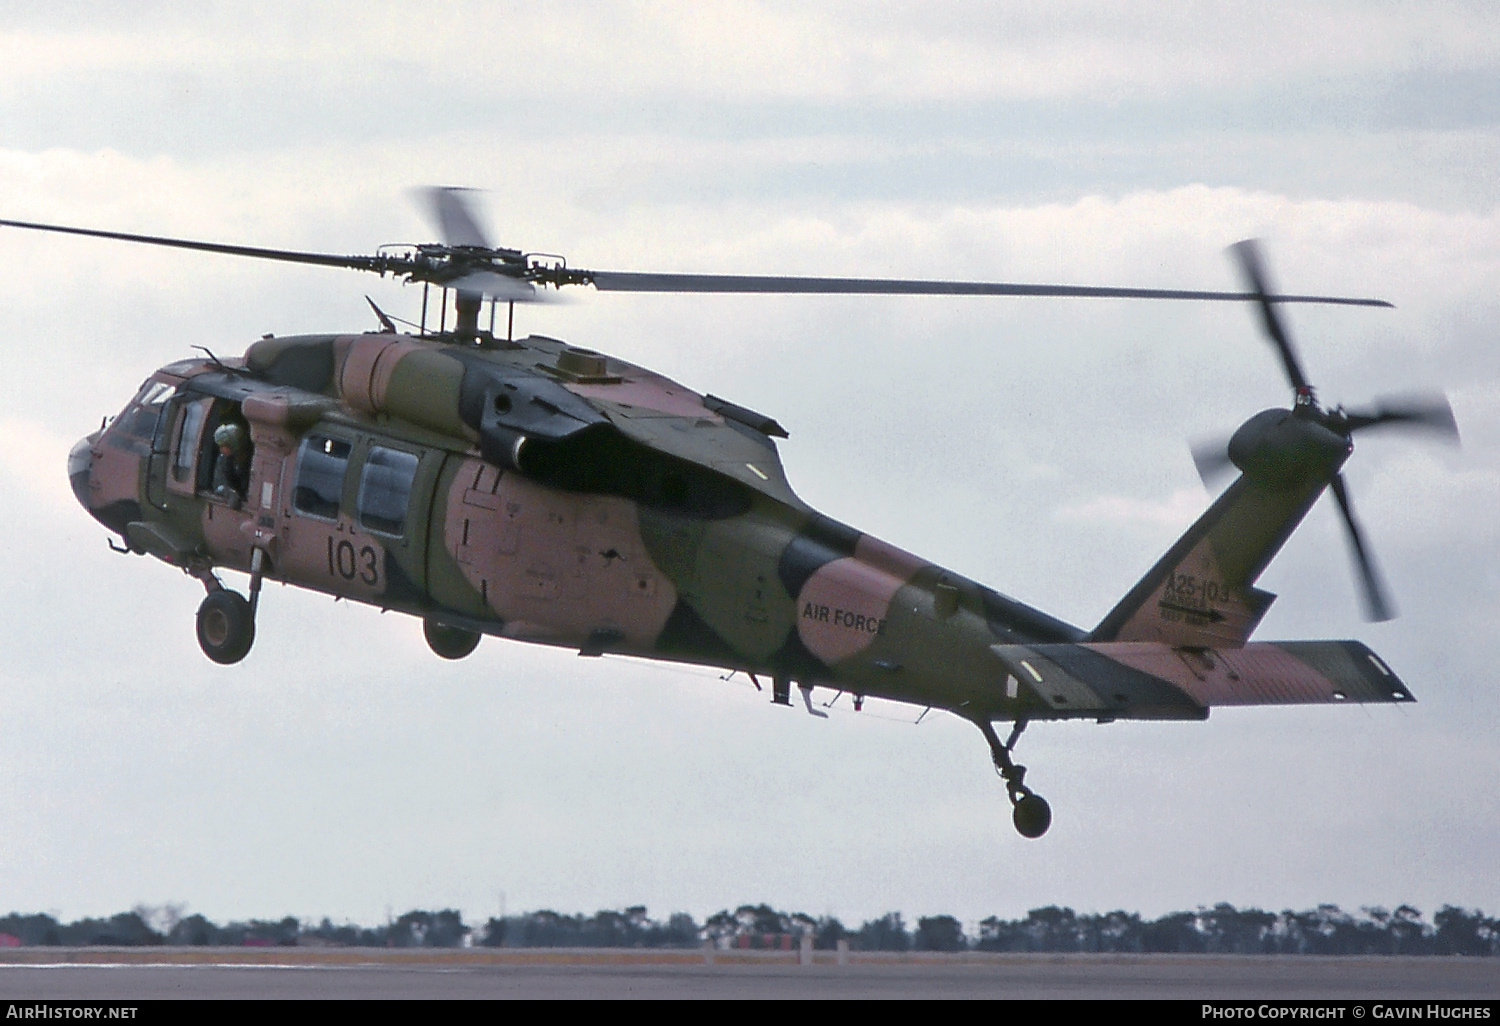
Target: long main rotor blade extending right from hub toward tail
776 284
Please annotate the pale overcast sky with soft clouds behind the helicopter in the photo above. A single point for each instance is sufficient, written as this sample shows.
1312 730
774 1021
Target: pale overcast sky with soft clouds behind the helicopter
1039 446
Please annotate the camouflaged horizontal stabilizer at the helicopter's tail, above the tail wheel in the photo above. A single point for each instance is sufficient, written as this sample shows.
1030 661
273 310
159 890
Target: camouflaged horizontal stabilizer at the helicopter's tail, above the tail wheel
1156 682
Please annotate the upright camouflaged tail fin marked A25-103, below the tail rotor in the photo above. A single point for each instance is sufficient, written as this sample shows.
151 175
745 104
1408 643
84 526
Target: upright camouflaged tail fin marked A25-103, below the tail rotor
1202 593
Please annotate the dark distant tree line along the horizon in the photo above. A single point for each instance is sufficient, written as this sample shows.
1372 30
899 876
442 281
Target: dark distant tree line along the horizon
1222 929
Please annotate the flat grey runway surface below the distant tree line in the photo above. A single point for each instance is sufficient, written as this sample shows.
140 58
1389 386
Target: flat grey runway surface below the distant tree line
145 974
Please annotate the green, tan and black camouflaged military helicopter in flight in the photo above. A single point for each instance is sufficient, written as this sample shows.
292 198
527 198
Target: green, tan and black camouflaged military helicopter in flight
545 493
